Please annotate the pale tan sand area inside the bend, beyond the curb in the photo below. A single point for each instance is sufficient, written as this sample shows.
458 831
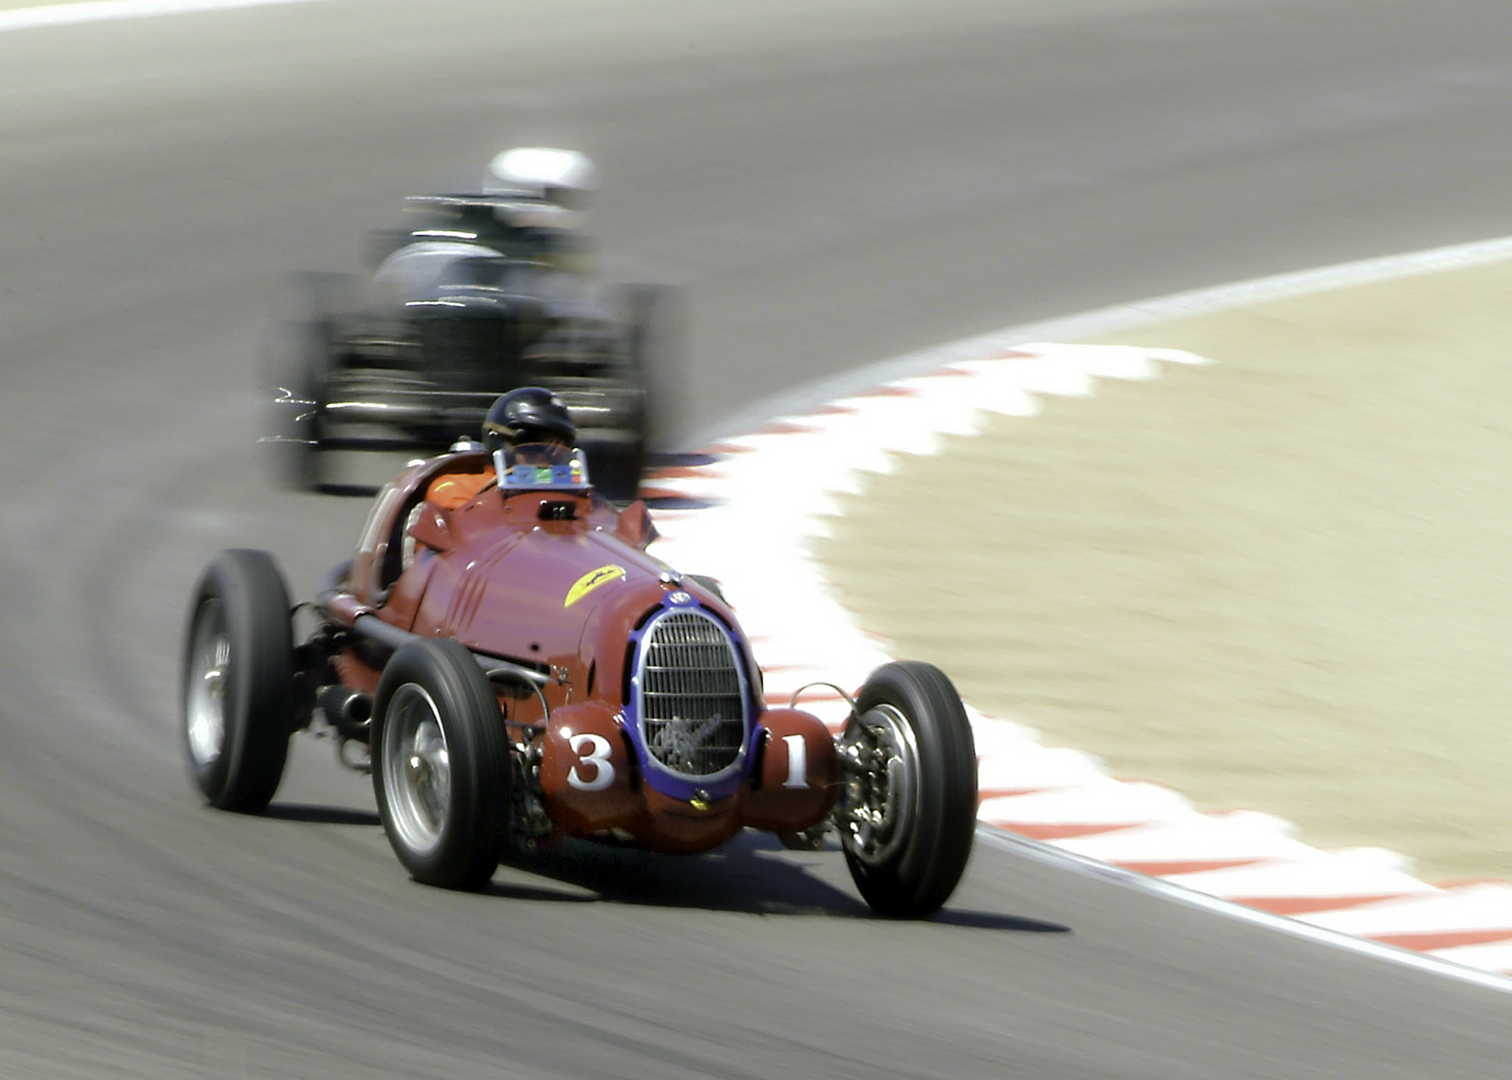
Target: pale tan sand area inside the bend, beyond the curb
1281 582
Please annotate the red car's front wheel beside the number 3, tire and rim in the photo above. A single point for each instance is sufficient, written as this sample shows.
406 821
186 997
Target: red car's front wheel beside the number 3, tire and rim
441 765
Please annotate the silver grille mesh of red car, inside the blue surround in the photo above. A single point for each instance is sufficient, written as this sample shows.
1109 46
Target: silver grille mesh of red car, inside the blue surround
693 707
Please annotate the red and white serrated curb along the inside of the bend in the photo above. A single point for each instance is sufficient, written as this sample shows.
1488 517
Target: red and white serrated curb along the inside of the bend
746 511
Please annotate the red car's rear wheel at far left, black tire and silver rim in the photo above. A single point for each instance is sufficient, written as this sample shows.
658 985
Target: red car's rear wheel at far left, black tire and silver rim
240 681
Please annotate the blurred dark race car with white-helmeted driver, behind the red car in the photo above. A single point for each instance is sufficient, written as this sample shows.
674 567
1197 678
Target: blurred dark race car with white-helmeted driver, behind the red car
476 296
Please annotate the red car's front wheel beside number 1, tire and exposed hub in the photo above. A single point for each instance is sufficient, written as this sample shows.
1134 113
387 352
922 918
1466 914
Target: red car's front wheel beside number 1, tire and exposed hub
909 812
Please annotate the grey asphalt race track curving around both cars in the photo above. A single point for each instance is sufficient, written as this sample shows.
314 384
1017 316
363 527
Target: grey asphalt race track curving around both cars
832 184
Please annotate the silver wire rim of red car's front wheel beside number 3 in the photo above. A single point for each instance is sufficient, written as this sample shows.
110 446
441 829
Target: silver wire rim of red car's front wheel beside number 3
417 769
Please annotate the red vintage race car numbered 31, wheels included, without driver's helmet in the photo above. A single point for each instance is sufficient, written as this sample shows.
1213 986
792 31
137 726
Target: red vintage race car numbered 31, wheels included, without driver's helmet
521 671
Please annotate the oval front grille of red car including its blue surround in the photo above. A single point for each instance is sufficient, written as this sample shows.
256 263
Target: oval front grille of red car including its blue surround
690 710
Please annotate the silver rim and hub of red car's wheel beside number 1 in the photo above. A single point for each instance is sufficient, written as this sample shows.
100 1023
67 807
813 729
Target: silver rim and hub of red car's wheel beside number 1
882 781
